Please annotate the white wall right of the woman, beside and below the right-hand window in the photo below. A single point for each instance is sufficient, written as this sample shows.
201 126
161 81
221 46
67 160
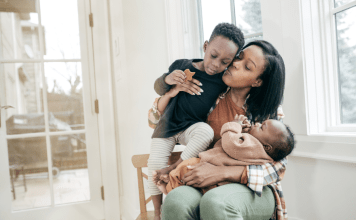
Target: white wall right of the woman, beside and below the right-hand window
321 172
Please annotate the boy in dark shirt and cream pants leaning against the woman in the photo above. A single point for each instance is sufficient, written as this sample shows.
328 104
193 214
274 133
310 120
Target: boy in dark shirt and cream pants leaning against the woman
183 118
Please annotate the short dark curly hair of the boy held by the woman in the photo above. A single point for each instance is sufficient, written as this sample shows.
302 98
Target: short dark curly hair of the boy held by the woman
231 32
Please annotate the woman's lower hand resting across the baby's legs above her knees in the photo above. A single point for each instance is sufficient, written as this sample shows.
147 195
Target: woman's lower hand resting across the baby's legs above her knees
203 175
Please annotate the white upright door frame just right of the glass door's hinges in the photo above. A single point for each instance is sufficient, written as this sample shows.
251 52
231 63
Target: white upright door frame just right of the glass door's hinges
106 117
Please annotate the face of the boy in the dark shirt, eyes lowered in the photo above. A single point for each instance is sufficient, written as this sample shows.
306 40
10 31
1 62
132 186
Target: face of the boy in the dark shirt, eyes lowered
219 53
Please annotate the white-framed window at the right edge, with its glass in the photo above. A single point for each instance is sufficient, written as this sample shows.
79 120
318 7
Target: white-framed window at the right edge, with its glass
329 31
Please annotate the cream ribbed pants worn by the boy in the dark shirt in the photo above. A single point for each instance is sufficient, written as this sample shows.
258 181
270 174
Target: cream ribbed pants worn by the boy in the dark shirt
196 138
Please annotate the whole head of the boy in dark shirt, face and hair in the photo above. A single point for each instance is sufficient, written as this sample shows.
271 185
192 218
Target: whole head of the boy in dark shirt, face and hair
224 44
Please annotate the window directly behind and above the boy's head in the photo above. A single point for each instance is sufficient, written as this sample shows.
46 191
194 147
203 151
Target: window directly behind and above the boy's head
245 14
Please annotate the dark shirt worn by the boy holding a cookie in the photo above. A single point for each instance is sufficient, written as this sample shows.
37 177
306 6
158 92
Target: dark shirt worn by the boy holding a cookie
184 109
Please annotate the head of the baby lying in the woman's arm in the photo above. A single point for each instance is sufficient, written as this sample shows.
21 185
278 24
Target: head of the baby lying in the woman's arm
276 138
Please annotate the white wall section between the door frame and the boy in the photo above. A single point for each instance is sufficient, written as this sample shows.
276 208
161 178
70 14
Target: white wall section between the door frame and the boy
139 28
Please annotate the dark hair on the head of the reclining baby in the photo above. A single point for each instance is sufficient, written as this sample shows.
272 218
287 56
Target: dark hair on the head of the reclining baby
284 146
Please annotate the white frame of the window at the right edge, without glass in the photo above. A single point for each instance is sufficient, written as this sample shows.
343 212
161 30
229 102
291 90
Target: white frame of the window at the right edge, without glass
320 60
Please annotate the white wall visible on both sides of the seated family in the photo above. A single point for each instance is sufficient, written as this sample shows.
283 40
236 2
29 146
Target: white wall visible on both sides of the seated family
321 171
